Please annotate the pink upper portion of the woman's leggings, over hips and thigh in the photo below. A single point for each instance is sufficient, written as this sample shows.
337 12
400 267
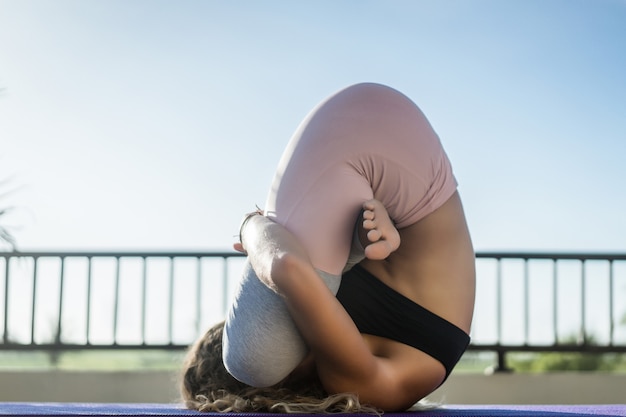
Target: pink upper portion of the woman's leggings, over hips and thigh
365 141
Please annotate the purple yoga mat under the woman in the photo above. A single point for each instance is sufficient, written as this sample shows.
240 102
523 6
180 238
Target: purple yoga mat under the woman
49 409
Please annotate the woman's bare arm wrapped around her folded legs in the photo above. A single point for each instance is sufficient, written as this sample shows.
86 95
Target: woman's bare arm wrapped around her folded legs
344 361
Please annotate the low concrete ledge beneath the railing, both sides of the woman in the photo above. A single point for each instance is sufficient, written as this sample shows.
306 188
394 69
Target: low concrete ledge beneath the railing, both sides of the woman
162 387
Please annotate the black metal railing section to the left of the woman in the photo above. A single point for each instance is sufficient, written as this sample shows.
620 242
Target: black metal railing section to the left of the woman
82 300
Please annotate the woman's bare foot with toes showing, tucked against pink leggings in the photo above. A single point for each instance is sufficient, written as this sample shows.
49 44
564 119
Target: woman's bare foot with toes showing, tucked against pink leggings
381 232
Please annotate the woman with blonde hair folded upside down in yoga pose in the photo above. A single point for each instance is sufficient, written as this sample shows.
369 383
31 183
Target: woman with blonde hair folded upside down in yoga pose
378 313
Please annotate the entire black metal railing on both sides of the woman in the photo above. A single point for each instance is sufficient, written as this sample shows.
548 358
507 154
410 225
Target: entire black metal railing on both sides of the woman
56 301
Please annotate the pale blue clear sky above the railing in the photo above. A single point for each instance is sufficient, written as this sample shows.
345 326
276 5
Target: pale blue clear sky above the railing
156 124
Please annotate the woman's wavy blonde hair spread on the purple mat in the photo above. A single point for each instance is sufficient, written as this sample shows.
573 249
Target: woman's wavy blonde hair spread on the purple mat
207 386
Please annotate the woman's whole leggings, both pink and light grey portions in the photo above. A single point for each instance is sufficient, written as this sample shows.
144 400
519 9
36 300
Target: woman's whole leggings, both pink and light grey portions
365 141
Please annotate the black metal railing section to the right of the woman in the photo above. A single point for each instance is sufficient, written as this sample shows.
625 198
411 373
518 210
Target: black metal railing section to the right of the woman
579 309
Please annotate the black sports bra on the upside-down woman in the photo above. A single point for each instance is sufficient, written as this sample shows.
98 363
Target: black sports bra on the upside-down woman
379 310
